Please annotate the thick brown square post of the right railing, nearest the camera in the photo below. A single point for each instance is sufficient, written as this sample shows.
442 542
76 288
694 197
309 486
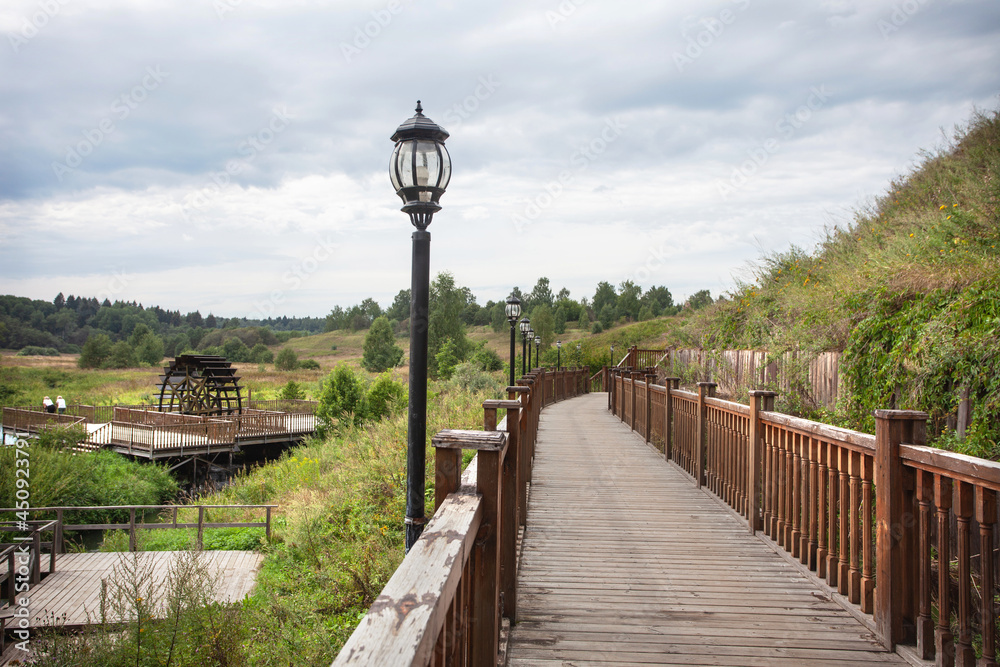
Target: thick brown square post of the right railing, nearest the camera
895 519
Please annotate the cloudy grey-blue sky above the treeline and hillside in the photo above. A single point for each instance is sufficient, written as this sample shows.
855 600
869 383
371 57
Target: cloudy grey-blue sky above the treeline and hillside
232 155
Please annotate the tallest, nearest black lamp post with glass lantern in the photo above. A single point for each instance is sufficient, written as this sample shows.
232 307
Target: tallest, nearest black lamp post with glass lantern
420 169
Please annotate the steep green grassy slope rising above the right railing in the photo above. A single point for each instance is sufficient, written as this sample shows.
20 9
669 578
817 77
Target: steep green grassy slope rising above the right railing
910 292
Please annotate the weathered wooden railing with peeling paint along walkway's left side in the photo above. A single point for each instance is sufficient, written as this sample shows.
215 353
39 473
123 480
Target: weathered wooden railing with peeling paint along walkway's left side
446 602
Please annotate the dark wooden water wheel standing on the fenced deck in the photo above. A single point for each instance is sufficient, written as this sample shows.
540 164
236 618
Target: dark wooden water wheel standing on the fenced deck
200 384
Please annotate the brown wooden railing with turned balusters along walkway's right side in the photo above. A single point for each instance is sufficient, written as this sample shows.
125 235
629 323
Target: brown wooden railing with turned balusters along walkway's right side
854 508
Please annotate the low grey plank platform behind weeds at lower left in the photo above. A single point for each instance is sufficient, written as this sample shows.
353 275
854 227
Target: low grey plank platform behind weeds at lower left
73 592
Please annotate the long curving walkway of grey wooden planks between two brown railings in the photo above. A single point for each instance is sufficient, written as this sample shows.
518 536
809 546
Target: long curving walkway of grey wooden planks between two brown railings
625 562
